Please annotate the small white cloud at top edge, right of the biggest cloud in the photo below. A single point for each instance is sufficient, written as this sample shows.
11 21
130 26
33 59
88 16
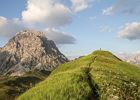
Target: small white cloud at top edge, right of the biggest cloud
80 5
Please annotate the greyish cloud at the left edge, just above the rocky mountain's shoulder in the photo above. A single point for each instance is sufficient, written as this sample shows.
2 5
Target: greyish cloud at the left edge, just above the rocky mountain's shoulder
9 27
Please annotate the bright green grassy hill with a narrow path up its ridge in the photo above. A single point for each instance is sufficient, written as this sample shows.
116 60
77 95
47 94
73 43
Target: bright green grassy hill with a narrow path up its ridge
99 75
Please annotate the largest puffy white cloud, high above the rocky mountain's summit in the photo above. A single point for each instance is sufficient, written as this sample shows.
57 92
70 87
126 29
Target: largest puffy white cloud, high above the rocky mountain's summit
49 12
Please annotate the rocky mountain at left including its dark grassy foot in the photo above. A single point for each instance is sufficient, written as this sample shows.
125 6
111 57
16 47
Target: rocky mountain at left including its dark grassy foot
25 60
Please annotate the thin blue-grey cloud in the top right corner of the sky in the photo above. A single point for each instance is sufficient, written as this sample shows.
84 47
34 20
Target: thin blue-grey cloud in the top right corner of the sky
124 6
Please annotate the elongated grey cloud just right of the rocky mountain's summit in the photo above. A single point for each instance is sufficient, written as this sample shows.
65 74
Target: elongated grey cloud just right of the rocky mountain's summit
59 37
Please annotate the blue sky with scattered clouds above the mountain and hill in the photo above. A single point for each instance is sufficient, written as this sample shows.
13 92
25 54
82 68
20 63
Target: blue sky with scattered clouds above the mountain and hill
78 27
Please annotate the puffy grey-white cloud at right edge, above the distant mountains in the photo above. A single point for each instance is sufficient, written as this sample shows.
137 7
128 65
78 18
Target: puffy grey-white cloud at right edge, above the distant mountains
130 31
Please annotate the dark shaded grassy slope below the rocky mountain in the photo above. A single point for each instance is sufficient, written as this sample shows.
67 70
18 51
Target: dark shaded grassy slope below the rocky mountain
11 87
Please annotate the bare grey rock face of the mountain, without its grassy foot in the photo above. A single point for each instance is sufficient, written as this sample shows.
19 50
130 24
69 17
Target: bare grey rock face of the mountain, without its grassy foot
28 51
